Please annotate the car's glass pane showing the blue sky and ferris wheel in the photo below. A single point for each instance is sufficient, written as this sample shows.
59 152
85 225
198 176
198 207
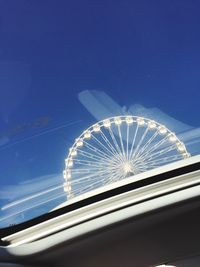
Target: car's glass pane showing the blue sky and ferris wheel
64 66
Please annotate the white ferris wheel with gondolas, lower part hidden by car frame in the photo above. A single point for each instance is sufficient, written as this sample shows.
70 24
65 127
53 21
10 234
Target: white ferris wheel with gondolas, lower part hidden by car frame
116 148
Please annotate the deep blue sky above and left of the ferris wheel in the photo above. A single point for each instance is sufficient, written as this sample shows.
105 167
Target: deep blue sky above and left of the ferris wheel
142 51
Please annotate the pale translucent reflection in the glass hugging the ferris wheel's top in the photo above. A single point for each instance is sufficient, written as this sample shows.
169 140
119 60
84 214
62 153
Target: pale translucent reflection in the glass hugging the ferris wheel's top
102 106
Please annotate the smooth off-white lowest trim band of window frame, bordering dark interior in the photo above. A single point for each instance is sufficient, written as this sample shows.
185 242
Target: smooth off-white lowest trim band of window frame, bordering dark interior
24 249
